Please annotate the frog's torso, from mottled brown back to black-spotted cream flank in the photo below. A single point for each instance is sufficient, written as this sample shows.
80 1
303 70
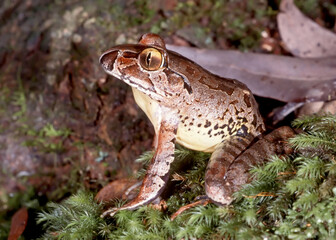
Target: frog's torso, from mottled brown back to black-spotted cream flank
219 109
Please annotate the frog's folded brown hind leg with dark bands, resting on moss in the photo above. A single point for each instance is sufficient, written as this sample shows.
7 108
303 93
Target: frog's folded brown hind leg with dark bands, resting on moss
229 165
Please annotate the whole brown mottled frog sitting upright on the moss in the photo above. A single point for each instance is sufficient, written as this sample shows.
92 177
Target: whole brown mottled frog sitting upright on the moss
190 106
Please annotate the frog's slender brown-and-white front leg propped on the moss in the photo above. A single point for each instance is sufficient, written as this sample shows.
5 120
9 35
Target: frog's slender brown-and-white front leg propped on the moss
158 171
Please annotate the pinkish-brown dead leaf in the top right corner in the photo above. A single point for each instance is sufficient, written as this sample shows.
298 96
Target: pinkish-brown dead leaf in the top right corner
302 36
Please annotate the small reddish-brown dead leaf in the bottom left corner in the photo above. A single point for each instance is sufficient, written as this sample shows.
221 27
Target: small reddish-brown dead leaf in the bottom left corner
19 223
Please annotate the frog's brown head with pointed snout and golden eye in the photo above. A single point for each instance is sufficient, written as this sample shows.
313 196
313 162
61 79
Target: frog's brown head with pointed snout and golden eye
145 66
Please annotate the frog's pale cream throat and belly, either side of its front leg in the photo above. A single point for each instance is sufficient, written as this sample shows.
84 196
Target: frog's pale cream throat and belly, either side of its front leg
192 137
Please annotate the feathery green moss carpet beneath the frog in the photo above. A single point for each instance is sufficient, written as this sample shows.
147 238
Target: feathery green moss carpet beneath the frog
290 197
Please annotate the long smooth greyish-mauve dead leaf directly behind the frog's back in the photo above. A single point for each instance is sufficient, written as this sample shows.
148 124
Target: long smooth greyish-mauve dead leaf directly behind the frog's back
287 79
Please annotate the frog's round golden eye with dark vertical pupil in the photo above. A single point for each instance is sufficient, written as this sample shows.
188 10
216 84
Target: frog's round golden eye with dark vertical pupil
151 59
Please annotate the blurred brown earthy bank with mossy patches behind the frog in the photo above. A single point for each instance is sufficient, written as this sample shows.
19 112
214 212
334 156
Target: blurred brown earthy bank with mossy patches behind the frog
65 125
